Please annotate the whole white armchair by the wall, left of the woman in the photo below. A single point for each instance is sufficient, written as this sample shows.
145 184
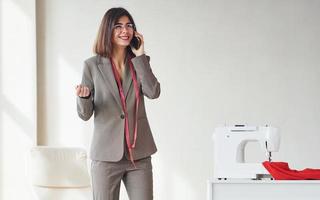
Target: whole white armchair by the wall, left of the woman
59 173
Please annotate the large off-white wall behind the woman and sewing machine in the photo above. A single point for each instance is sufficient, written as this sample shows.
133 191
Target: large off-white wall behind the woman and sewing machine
219 62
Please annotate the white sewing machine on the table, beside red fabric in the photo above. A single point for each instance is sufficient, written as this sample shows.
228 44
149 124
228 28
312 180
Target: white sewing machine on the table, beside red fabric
229 148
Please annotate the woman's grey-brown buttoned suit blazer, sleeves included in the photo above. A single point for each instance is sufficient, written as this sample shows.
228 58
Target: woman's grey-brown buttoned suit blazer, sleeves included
108 142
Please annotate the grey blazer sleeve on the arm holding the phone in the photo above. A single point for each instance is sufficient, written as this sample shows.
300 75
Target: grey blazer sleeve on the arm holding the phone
149 83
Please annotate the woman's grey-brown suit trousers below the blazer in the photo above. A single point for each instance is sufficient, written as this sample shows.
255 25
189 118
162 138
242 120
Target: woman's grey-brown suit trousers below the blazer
107 176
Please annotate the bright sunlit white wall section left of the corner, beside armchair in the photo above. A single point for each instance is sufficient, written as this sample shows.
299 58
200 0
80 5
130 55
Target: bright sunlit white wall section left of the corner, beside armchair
17 95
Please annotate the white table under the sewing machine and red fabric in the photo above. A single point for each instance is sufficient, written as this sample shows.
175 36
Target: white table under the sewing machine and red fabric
246 189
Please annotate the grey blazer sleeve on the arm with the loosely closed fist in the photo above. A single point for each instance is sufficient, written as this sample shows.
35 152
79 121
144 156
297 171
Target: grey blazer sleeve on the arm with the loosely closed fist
85 105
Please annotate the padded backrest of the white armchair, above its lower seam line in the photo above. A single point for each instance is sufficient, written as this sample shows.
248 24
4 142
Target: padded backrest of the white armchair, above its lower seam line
59 167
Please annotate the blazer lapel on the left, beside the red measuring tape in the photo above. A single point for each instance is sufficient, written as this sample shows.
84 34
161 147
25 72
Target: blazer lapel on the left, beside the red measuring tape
105 68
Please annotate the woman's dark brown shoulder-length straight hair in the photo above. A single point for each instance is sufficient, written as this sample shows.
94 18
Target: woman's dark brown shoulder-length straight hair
103 45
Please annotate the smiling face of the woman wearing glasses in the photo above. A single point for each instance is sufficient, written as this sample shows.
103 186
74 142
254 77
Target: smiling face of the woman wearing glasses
122 32
